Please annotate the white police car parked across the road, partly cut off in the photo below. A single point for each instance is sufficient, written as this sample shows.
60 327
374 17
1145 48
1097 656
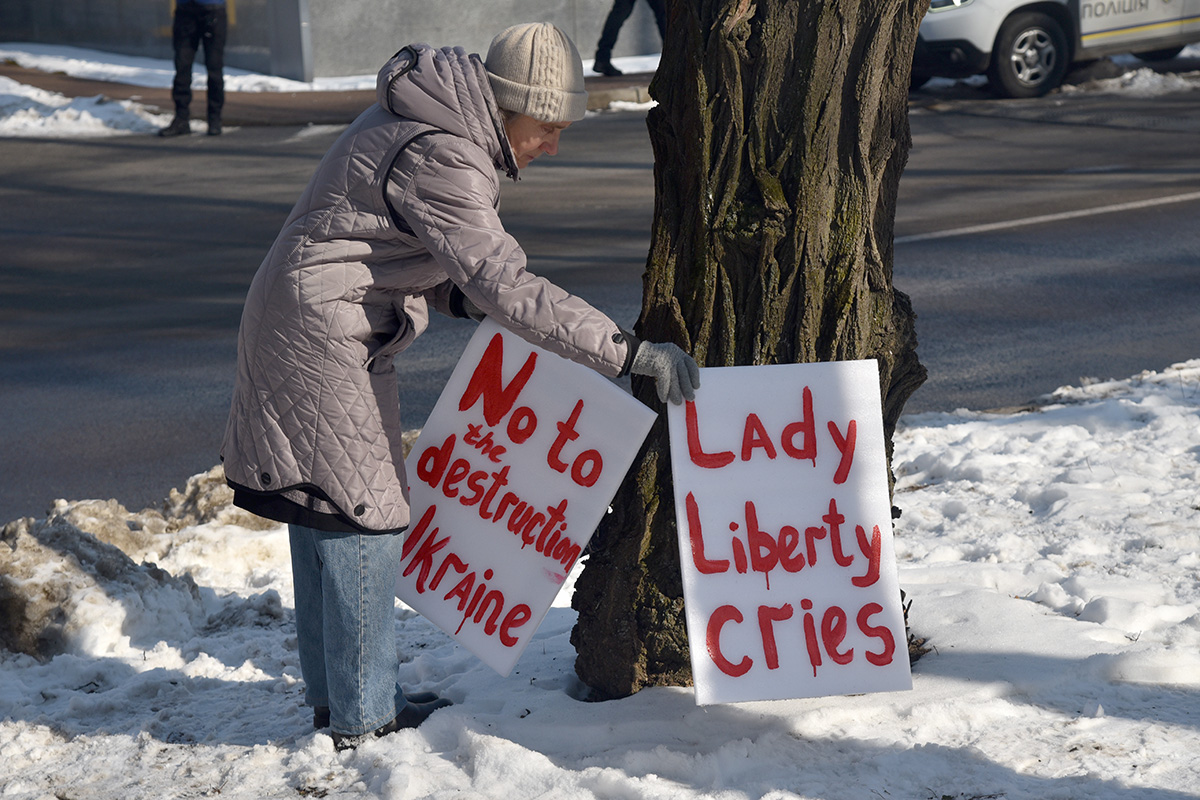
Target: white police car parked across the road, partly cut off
1025 46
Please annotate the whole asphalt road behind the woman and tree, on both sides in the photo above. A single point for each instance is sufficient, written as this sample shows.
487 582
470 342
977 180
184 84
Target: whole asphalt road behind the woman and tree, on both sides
124 264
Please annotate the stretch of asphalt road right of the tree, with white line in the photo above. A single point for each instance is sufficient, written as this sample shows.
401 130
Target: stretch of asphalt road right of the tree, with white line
1088 266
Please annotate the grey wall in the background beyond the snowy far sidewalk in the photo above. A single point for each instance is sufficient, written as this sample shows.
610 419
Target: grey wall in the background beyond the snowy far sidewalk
343 38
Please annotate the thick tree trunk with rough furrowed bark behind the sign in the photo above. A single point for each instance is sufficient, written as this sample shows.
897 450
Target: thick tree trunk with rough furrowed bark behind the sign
779 140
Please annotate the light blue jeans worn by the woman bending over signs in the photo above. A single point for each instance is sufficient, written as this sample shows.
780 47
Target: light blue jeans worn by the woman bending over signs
346 625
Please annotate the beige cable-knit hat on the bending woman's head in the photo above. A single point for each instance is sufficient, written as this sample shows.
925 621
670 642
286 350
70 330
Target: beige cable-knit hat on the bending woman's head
536 70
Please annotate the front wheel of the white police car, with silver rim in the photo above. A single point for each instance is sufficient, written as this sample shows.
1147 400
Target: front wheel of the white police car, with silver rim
1030 57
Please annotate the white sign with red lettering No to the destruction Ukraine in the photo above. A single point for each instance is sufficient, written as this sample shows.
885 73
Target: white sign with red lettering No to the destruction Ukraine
508 482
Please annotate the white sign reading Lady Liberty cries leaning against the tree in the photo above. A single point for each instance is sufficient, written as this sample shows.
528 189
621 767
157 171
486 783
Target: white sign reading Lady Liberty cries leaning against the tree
785 534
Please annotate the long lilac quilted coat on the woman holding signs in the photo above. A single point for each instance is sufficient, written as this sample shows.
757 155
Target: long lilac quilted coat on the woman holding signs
400 215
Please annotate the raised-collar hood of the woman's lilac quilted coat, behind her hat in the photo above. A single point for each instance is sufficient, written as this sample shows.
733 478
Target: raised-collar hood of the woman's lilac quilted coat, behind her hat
449 89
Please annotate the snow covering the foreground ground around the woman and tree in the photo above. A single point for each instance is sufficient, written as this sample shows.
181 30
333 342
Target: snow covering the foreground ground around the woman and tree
1053 561
